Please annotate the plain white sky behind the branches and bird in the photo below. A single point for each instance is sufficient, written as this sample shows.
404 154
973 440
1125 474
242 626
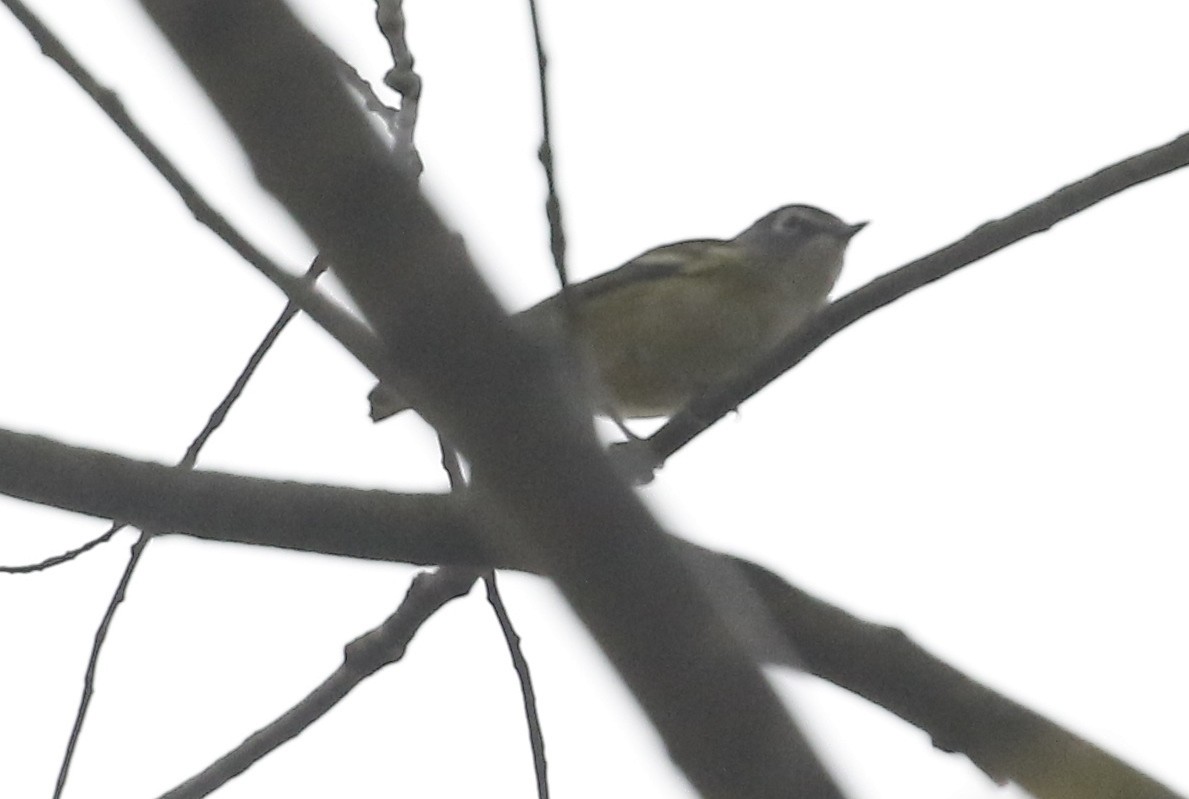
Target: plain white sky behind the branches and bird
996 464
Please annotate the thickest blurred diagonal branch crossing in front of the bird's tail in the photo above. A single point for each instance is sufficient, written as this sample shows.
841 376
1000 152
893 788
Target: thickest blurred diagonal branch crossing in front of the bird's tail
494 395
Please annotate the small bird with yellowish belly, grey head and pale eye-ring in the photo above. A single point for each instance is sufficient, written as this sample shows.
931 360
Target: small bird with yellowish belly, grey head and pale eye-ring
680 319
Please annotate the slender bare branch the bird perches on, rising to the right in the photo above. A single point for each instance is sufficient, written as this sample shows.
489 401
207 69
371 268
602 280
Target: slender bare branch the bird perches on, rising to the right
989 238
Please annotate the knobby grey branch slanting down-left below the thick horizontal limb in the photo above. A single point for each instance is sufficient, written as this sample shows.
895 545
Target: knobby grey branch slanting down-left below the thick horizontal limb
362 658
